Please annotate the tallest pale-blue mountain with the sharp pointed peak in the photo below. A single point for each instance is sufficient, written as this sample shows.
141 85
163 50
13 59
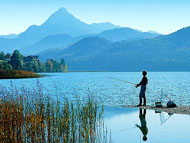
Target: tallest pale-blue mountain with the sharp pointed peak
60 22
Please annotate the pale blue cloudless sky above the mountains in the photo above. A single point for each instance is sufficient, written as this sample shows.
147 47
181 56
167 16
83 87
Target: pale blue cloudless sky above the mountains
163 16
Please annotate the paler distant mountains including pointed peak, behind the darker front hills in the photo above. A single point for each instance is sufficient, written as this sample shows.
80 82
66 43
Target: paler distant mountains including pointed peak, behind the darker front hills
61 22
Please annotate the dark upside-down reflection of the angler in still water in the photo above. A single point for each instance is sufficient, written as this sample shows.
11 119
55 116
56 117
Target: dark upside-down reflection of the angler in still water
143 127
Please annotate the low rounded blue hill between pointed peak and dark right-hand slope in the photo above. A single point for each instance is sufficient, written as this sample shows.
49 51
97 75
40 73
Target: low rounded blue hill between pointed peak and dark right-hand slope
119 34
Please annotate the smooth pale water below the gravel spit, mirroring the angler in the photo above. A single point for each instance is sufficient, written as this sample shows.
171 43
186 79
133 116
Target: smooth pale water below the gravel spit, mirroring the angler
160 127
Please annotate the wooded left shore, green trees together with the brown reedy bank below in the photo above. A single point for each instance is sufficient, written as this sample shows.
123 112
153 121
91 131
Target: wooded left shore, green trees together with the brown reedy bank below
19 66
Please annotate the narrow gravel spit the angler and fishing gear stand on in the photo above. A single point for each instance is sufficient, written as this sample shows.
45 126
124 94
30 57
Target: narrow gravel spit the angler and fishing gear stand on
177 110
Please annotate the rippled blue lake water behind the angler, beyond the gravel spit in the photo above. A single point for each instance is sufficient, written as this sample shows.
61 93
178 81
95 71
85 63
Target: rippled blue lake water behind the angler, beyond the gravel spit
110 91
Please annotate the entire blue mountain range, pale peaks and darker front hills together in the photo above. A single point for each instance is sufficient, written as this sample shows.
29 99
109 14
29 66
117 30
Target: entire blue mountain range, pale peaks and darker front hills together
102 46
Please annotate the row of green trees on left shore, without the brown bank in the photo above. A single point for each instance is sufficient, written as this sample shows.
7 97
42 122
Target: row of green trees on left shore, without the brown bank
16 61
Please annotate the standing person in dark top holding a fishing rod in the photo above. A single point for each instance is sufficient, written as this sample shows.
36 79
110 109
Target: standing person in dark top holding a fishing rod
143 84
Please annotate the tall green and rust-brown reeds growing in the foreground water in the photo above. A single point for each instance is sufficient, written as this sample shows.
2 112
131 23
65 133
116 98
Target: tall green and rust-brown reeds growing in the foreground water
31 116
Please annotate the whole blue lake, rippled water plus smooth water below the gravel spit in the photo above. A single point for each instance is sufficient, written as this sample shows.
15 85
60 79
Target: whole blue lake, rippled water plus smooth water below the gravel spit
108 88
